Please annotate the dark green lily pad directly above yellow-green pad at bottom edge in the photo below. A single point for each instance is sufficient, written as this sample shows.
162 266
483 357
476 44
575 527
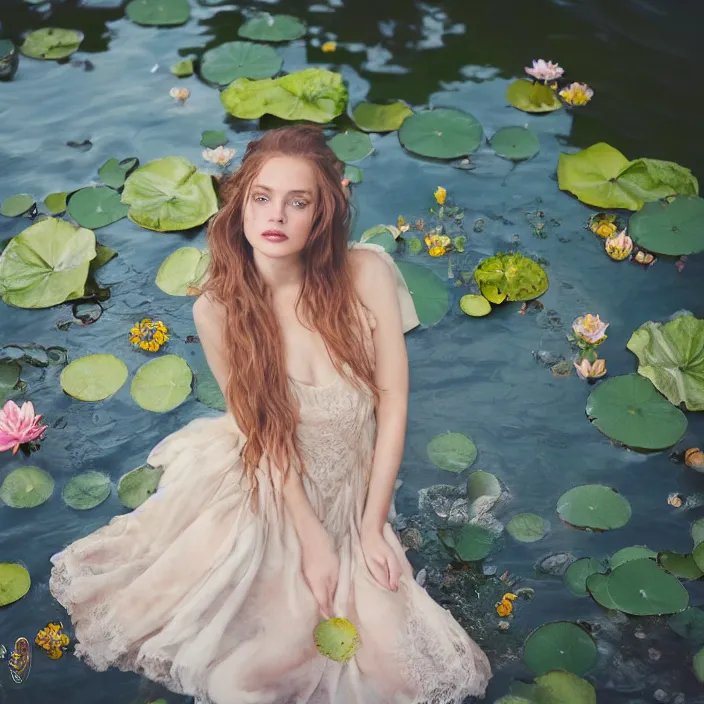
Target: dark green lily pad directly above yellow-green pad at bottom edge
559 646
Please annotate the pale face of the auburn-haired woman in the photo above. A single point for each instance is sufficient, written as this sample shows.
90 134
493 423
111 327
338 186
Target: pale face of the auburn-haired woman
280 207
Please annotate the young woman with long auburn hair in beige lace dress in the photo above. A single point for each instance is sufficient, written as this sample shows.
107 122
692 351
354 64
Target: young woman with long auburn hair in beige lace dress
273 516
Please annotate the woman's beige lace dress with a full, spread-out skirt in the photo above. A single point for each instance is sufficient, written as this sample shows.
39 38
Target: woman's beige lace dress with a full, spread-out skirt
195 591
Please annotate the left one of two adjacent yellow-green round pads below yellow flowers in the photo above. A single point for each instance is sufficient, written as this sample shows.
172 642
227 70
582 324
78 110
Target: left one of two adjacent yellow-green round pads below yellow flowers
94 377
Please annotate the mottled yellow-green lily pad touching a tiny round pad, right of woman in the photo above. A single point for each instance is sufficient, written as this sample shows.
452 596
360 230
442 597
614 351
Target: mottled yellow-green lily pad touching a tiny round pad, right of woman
510 277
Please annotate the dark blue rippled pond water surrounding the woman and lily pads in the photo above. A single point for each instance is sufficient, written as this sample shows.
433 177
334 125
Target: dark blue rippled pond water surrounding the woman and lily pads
477 376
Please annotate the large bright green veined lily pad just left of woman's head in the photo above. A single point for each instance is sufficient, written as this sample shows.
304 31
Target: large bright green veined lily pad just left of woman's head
169 194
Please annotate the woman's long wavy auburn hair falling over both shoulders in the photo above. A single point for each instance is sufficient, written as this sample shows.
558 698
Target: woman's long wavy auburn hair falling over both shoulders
258 392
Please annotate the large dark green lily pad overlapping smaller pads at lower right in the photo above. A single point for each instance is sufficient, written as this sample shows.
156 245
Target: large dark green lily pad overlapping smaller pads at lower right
641 588
